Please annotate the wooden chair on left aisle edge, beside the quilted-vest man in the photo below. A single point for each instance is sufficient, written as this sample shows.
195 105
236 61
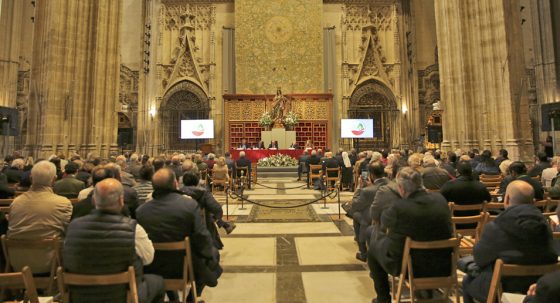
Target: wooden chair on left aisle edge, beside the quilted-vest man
187 283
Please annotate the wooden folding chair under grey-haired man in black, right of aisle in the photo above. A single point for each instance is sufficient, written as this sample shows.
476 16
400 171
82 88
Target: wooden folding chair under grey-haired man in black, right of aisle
406 278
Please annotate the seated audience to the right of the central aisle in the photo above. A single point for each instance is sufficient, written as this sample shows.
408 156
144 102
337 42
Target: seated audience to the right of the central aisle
408 194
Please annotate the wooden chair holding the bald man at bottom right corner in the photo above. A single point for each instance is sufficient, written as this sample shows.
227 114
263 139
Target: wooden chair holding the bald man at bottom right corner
510 270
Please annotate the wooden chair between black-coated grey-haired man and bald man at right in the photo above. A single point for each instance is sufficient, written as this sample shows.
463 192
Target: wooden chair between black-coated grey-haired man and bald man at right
473 233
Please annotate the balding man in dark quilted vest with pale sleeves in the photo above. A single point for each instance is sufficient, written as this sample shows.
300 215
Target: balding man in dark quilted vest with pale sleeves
106 242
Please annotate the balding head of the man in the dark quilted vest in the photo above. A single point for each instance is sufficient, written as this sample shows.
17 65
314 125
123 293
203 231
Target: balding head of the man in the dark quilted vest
108 195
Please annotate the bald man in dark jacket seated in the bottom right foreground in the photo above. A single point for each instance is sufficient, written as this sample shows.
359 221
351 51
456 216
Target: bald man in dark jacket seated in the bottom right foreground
519 235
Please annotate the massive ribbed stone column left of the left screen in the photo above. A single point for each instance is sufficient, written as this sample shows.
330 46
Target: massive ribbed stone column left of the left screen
74 77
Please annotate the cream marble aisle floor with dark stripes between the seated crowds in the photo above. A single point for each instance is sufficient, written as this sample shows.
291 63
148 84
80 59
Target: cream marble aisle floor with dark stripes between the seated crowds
292 255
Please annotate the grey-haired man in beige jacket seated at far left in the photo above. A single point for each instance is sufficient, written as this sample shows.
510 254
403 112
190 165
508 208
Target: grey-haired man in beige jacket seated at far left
38 214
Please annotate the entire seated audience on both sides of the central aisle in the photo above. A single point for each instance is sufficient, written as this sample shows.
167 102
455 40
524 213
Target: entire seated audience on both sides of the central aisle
398 194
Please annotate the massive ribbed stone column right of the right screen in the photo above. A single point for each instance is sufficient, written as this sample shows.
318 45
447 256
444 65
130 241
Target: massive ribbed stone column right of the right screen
481 74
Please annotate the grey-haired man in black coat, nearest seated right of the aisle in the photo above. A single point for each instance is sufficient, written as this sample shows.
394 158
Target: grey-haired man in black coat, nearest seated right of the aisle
421 216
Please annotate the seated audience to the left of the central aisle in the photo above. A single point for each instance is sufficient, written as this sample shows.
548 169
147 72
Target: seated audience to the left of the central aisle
137 200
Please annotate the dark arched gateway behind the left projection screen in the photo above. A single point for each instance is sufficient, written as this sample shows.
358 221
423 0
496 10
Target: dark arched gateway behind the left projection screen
183 101
